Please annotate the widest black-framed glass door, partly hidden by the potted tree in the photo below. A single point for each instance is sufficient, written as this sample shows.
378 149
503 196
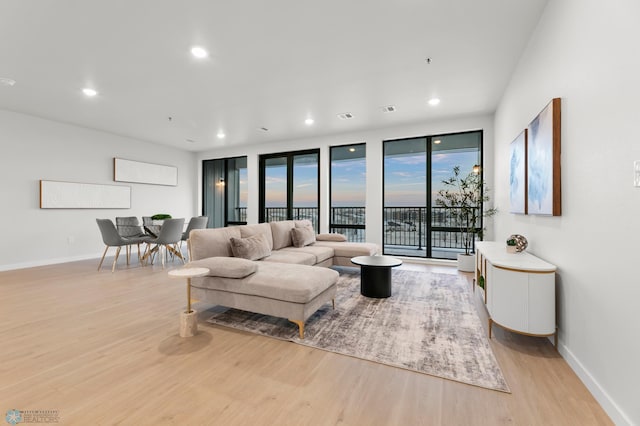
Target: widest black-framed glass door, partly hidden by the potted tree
414 169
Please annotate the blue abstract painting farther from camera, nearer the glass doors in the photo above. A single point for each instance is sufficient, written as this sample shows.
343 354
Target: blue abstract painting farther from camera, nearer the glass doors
518 174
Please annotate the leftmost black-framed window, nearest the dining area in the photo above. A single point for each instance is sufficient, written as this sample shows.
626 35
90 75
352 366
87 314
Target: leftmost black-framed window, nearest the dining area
224 183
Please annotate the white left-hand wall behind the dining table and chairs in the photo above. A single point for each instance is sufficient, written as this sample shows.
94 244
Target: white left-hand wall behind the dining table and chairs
34 149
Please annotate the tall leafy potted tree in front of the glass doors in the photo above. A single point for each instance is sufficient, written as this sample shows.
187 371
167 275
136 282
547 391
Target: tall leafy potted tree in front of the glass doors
464 198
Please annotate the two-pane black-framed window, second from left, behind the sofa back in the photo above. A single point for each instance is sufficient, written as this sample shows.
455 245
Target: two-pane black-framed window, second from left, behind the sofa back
289 186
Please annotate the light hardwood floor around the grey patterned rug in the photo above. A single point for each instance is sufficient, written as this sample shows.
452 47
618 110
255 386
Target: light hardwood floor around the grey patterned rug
104 349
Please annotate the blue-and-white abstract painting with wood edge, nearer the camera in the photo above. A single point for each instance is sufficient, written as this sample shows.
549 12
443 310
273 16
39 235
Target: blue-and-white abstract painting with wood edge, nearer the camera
543 162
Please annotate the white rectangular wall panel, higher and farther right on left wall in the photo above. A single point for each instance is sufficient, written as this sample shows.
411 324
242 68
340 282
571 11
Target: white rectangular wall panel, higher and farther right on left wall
141 172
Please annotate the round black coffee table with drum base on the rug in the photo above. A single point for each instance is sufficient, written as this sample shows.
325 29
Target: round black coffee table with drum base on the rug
375 274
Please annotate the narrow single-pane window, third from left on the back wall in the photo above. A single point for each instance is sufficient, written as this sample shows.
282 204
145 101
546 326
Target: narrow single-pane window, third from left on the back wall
348 189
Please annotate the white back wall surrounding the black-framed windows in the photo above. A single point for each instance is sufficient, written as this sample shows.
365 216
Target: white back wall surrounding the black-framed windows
373 139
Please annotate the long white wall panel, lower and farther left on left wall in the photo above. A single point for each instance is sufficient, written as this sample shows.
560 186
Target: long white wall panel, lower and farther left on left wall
77 195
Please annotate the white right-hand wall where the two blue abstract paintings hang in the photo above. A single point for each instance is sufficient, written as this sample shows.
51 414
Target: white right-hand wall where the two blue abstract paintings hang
586 52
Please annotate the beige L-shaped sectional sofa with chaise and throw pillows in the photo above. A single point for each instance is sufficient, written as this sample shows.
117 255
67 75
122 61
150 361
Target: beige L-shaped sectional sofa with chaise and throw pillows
277 268
